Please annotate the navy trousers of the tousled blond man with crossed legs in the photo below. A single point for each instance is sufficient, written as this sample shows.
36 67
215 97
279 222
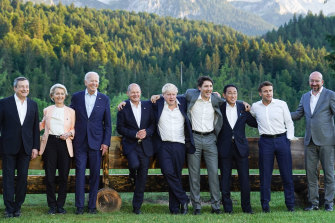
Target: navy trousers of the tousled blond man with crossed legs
171 160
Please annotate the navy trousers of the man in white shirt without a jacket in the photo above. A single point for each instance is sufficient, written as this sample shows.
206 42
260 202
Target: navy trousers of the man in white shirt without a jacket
268 149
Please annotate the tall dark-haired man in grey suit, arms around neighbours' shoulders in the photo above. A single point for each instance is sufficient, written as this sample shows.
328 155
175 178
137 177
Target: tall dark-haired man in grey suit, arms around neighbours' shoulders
203 110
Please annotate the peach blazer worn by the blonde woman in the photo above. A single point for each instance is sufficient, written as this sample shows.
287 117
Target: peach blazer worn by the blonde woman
69 119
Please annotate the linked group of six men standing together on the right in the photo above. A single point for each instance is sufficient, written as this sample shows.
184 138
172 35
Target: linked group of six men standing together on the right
200 123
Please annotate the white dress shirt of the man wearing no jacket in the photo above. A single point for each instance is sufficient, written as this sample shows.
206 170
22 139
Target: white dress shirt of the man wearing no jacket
274 118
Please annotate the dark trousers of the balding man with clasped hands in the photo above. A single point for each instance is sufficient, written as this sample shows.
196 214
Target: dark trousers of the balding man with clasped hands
138 163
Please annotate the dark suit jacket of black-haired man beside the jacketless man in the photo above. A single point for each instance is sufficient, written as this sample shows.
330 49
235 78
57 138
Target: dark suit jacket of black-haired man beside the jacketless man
225 136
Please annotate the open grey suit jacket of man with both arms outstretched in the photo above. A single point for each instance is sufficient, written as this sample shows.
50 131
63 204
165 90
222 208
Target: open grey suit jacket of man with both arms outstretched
192 96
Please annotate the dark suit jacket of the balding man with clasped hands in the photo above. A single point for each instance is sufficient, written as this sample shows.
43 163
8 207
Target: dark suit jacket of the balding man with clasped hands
127 127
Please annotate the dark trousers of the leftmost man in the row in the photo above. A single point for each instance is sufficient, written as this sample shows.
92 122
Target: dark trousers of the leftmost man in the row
18 188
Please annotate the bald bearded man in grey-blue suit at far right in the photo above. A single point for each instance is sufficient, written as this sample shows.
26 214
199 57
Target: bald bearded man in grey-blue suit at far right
318 107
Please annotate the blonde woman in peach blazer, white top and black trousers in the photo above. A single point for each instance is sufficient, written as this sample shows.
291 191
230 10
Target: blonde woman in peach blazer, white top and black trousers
56 147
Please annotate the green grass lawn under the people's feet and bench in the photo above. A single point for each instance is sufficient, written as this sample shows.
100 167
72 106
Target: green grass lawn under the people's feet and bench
155 209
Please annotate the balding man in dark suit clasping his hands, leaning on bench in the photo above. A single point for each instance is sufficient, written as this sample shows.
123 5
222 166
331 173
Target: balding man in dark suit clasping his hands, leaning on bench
136 124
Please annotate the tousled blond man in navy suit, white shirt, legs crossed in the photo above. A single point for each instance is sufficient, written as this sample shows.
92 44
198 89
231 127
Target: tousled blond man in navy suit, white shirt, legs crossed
174 140
